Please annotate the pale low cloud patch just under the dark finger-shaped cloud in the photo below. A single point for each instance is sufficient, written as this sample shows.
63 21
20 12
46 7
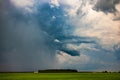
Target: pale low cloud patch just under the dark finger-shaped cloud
67 60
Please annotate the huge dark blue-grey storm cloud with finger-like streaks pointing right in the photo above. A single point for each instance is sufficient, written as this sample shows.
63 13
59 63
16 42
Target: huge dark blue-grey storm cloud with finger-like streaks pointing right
27 40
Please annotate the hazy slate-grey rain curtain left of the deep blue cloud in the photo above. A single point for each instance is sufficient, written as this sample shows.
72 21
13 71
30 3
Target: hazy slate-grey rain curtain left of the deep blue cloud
23 45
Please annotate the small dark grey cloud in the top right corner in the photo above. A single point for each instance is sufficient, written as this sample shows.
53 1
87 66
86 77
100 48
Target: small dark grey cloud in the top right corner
107 6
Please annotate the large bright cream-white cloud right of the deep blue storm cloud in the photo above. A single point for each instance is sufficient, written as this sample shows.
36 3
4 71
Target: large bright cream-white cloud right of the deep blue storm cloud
90 23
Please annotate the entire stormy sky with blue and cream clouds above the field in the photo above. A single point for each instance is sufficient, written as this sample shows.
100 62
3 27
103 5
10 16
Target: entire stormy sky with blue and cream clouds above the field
60 34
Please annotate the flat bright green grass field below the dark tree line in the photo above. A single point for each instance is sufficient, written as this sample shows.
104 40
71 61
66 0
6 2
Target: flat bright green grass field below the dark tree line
60 76
